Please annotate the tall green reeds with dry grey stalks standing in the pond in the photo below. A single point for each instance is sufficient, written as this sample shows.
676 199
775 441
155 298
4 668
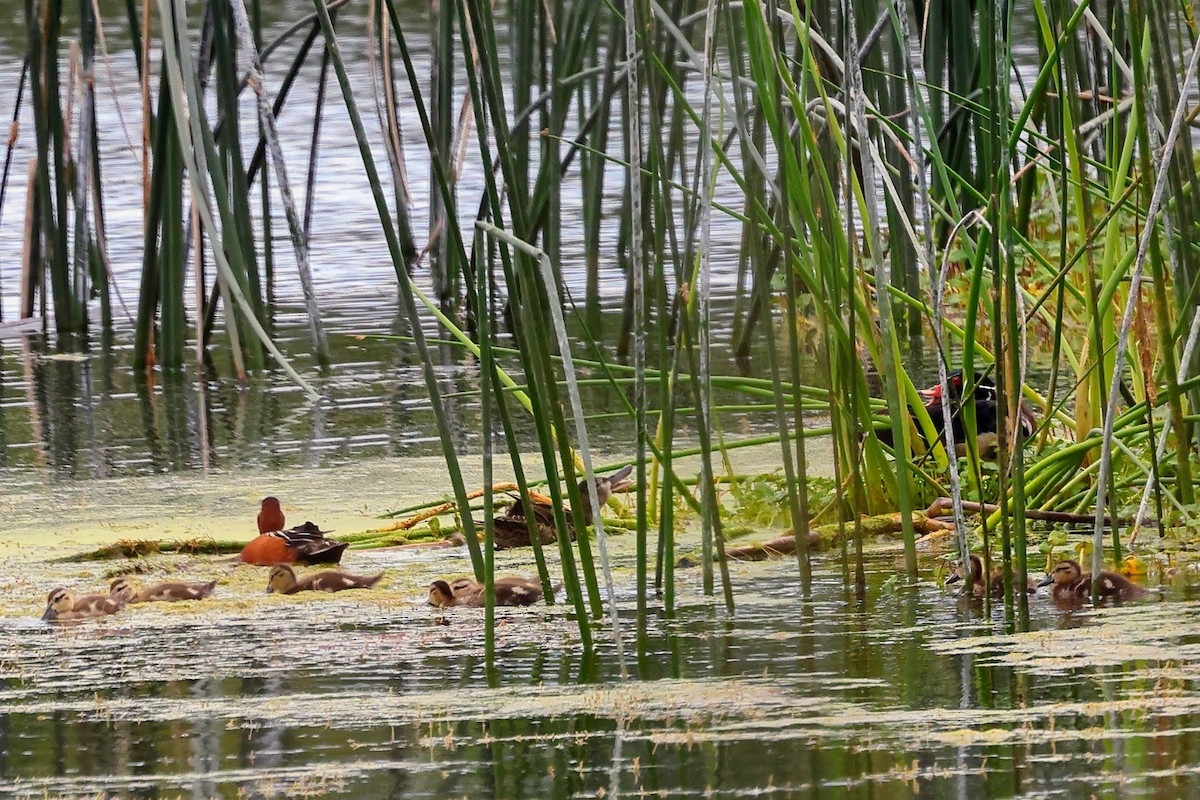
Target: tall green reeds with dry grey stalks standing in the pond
908 193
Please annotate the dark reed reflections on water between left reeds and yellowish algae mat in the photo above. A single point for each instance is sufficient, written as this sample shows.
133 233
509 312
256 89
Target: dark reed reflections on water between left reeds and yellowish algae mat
89 416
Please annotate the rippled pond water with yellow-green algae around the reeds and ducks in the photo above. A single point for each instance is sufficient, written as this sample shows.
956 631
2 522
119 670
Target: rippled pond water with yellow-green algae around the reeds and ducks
364 695
